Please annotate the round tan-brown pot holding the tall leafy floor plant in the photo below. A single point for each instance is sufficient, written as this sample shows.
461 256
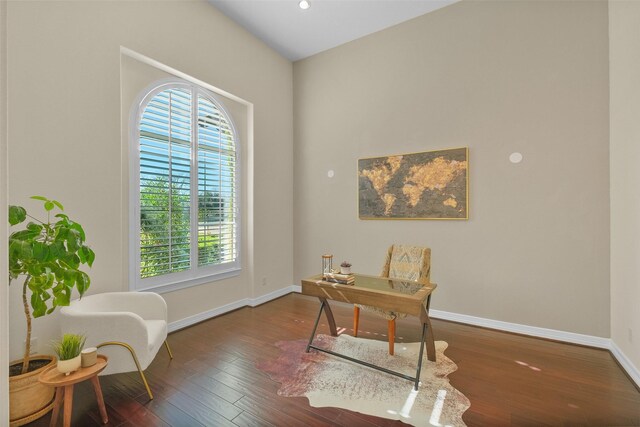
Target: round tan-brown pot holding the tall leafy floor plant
28 399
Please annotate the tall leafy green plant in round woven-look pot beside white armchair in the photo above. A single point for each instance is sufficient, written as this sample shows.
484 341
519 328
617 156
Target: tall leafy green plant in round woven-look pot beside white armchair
48 255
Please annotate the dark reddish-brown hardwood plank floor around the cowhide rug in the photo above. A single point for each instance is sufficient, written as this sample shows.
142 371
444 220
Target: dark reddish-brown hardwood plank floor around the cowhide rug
212 381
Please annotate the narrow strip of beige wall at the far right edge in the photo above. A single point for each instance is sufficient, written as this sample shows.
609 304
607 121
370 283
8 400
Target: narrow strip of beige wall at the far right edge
624 39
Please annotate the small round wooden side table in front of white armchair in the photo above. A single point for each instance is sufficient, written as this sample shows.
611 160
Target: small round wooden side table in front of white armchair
64 388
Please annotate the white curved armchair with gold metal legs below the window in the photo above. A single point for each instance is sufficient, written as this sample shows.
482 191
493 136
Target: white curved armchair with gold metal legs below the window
128 327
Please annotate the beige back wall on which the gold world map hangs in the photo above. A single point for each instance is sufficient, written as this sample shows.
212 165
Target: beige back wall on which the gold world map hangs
497 77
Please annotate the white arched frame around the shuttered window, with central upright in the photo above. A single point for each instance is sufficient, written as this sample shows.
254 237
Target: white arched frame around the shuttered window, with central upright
195 275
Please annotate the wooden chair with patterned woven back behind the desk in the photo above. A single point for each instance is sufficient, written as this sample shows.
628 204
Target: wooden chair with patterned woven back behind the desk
402 262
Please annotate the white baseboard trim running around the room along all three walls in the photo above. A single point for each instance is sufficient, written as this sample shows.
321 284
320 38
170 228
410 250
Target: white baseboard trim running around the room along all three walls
534 331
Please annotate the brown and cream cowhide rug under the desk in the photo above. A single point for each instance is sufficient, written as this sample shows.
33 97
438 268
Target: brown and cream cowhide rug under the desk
328 380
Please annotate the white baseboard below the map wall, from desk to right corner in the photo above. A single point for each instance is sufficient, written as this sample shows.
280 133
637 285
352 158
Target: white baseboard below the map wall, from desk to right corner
523 329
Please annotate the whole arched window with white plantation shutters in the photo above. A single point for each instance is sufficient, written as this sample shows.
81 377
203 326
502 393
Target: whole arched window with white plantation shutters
186 189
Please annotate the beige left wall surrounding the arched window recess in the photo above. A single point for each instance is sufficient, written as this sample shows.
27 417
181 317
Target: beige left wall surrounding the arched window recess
65 130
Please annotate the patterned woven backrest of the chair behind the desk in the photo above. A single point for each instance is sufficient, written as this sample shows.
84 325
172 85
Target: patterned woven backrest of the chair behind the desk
408 263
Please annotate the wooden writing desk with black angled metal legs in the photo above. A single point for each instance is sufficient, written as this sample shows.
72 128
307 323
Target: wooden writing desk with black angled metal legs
386 293
